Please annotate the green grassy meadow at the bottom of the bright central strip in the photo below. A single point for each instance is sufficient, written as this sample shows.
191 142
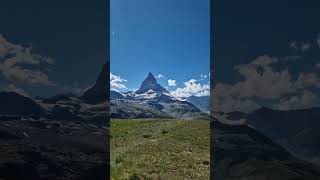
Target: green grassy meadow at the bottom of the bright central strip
160 149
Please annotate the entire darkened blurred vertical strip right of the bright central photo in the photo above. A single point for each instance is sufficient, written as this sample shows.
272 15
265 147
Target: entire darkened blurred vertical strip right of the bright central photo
271 132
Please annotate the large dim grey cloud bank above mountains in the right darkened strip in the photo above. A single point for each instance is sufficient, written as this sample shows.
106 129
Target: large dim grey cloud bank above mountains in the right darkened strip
261 81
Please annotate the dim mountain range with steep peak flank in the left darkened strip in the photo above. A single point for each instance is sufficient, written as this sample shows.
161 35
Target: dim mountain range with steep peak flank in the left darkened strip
92 105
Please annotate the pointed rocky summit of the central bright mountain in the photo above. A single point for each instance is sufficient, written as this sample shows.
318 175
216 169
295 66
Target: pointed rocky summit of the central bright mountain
150 83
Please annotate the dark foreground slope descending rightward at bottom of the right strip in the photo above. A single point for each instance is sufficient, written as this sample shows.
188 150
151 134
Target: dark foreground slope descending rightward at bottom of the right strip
240 152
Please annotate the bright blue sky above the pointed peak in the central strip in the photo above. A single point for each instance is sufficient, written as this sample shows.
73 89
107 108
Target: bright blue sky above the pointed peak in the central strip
167 37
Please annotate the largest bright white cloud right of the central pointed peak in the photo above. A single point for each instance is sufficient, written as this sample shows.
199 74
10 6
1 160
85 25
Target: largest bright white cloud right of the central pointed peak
191 87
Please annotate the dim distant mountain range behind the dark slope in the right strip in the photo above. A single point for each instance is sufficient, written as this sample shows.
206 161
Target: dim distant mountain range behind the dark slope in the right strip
295 130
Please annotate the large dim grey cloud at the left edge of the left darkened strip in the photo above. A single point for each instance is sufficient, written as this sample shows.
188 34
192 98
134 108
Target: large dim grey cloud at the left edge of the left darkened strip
13 59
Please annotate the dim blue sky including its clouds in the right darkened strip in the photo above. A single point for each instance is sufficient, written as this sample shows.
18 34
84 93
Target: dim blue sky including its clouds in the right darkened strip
266 53
